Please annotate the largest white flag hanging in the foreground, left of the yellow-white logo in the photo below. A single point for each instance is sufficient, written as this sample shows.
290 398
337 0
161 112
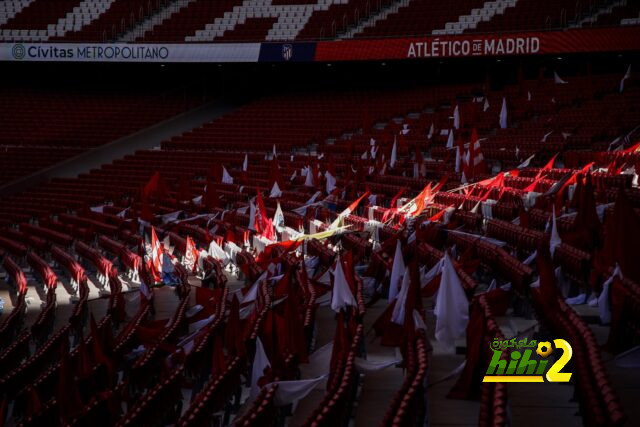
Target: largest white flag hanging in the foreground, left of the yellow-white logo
452 306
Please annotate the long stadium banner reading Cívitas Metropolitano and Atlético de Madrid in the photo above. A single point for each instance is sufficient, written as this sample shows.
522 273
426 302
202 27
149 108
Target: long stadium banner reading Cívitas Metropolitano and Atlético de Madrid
450 46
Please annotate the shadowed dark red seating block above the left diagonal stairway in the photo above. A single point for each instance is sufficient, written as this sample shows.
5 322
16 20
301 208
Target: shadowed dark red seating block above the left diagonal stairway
46 127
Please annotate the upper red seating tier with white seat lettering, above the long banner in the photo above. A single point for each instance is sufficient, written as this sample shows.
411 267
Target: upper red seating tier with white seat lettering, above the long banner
261 20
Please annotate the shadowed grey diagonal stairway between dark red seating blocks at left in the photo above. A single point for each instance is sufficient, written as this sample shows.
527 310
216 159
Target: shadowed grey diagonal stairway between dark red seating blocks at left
144 139
